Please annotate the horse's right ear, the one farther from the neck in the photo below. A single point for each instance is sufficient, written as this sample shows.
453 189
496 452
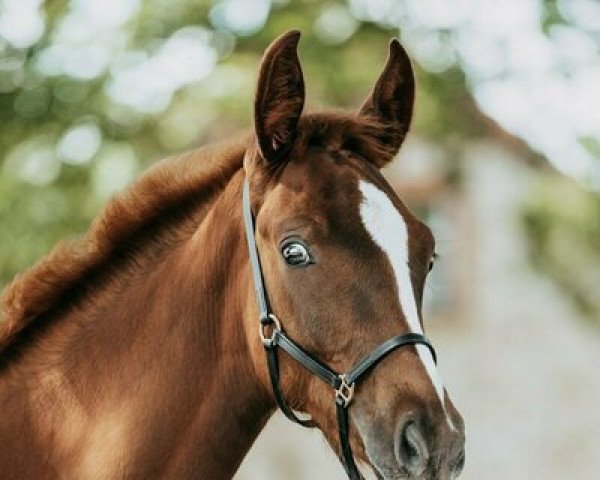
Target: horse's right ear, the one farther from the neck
391 101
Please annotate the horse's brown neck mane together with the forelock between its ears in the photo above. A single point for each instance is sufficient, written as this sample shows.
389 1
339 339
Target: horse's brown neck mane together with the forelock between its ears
170 190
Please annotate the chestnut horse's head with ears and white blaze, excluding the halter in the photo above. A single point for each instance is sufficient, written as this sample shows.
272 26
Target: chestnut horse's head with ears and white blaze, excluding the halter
345 262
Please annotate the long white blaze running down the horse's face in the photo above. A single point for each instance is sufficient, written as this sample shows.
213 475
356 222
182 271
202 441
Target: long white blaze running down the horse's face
389 231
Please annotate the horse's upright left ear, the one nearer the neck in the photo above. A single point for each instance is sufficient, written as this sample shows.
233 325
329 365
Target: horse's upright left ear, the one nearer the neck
279 98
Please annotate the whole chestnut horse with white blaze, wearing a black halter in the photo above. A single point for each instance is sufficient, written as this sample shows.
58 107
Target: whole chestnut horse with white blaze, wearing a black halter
136 351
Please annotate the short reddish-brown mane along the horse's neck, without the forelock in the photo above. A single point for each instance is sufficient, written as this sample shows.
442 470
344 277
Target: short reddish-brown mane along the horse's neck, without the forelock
148 207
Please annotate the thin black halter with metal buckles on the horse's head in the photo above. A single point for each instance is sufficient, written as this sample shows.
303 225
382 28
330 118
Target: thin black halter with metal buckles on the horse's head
342 383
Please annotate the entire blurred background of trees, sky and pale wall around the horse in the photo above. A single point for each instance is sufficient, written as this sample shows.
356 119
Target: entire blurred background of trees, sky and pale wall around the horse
503 162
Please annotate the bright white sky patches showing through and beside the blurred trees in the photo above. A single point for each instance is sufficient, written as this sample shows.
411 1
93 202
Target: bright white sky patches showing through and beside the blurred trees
542 88
